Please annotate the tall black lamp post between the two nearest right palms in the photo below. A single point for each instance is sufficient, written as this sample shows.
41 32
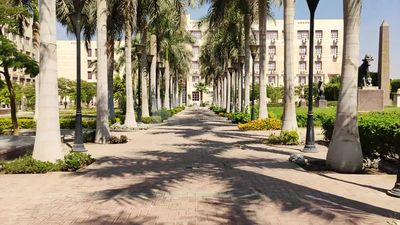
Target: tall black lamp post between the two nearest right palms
310 142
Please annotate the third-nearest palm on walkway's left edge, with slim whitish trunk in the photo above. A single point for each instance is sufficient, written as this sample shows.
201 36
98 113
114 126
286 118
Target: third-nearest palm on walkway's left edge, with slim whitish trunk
129 12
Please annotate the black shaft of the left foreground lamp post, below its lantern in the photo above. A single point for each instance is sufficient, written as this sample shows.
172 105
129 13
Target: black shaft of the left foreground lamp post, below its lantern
78 142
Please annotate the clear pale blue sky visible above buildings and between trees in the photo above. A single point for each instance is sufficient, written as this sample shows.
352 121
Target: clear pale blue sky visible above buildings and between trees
373 14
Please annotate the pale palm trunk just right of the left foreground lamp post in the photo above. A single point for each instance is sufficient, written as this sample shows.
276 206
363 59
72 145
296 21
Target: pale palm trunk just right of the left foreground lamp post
102 128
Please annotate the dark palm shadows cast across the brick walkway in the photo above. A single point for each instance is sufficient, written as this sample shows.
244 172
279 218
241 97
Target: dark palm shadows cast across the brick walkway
163 170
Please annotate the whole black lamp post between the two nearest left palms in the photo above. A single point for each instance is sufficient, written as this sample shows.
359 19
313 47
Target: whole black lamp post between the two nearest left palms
76 18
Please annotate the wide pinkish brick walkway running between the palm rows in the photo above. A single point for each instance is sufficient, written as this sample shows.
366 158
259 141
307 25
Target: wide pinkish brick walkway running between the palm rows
196 169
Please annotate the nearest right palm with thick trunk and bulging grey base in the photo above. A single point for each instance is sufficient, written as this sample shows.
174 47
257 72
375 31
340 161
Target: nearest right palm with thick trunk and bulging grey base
345 154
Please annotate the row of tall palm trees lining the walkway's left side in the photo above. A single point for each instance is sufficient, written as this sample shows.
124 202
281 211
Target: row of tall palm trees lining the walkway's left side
157 30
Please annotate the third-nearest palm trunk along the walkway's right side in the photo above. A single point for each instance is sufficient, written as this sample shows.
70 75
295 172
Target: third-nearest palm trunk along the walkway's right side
262 8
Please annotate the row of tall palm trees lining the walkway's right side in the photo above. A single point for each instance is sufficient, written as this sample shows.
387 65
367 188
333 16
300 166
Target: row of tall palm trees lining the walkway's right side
230 22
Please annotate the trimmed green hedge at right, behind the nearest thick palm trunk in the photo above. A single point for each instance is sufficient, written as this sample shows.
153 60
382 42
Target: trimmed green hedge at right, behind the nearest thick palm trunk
379 132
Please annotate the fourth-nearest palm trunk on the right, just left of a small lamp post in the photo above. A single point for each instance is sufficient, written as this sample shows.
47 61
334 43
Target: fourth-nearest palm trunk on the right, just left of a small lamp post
247 26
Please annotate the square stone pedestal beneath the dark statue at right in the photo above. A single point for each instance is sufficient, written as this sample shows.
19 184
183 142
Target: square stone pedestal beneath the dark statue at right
370 99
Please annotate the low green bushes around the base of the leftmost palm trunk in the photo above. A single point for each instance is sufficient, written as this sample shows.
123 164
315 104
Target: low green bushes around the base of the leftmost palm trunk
27 164
